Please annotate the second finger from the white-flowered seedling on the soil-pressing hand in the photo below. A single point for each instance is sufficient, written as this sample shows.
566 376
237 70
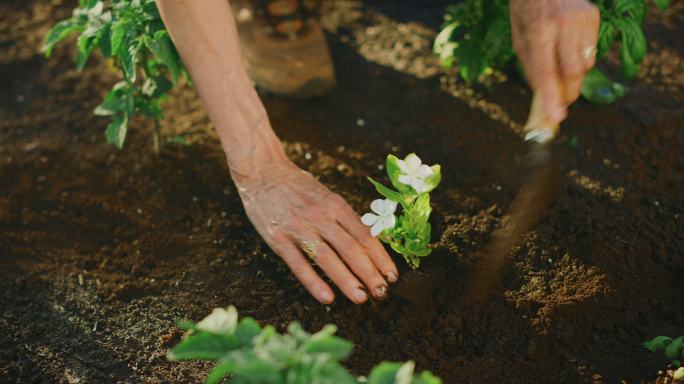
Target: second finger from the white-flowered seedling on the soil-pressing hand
356 258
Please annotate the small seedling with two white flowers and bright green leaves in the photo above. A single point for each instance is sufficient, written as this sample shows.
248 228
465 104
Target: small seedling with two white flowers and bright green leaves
408 235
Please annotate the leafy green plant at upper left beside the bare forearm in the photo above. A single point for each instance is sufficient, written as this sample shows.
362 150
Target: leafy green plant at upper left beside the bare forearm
132 35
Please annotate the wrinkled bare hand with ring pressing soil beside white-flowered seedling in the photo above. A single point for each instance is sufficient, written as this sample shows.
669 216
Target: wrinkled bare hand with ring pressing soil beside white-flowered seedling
288 206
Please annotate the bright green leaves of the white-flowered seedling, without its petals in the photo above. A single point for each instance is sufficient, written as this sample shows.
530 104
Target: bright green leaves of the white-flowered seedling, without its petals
411 234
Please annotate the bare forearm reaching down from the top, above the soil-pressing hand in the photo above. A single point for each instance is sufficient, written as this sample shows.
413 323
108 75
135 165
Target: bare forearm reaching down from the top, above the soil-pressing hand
205 35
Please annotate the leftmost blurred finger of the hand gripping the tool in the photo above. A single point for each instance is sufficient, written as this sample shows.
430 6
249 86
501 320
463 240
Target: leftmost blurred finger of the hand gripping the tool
543 70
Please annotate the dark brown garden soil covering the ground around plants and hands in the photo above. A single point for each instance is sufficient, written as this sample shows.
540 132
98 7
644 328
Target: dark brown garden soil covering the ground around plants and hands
100 250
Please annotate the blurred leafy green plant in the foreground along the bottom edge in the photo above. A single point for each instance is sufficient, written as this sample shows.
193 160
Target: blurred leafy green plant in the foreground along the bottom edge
247 353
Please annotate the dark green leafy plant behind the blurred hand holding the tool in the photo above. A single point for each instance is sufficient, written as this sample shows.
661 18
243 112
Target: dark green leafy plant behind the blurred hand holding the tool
477 36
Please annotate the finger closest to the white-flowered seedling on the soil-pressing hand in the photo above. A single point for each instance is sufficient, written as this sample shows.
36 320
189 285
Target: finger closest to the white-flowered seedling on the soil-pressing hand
360 232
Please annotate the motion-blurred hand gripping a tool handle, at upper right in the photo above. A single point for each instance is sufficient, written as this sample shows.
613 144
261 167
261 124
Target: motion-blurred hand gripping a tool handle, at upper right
555 41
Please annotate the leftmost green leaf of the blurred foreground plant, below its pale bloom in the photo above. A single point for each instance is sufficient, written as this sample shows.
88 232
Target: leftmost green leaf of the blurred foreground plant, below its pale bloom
203 346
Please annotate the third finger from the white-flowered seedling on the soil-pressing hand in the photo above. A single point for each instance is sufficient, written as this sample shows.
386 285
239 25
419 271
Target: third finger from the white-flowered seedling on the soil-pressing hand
338 272
